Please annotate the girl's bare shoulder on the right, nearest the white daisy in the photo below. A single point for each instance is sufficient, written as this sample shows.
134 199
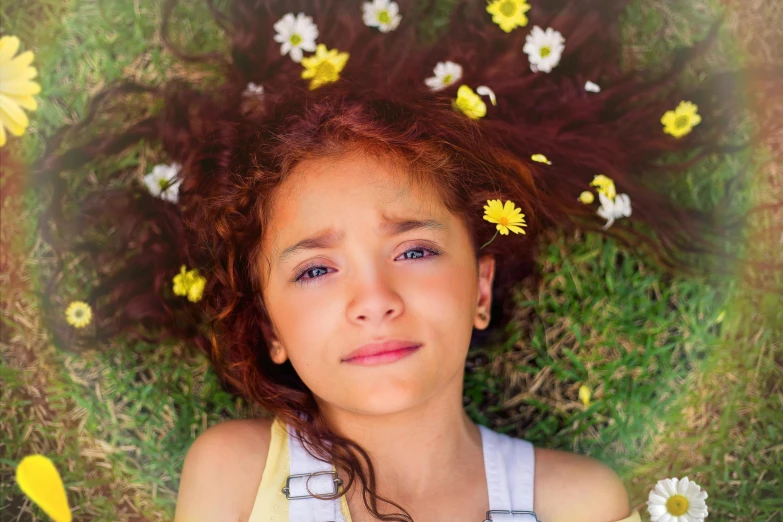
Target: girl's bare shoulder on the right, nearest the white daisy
595 492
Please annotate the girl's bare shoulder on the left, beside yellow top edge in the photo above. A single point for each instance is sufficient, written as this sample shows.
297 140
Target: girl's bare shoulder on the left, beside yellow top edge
222 472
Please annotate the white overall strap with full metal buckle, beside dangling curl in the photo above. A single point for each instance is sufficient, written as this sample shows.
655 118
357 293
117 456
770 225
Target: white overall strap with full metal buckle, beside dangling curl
302 506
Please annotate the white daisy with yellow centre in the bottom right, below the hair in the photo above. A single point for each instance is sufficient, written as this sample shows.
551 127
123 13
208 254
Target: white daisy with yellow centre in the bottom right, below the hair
675 500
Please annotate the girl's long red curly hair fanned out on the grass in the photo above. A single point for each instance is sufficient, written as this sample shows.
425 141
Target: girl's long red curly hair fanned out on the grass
236 150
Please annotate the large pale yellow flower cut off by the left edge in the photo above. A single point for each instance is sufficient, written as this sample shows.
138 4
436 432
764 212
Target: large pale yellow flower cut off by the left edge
16 89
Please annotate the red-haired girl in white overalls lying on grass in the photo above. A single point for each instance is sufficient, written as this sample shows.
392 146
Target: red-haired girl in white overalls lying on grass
327 232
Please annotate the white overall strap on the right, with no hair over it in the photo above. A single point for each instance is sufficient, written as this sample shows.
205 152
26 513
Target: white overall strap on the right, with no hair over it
509 464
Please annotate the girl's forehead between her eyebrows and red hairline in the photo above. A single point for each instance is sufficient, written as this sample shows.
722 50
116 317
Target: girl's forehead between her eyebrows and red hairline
336 191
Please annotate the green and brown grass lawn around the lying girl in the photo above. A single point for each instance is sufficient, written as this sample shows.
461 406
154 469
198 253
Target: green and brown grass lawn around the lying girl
685 374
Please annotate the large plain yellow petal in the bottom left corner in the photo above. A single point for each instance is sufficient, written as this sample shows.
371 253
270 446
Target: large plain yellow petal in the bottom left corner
39 480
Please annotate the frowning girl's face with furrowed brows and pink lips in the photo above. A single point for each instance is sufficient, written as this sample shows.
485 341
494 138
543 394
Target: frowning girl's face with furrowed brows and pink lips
369 283
